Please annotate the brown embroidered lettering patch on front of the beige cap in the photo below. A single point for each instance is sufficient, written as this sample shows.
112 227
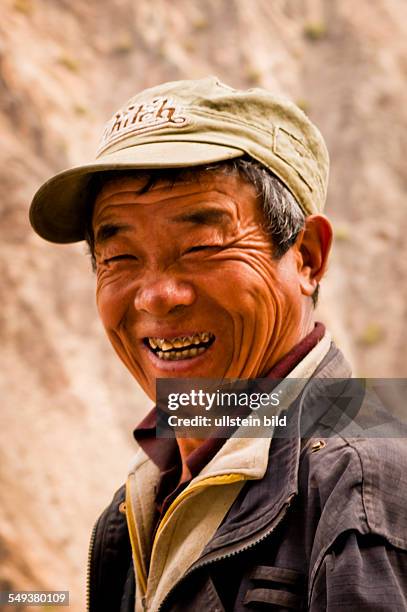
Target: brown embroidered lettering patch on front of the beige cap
141 118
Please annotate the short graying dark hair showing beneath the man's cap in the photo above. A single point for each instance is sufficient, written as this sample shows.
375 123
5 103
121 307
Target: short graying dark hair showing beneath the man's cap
283 216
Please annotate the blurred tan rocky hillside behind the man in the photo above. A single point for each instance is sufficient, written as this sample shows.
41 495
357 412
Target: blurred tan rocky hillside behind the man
67 404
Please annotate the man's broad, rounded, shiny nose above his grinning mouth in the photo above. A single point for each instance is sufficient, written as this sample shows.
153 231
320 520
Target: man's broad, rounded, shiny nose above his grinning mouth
164 295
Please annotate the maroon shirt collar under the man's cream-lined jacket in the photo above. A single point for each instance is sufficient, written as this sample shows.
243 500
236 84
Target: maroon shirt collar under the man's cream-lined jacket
165 452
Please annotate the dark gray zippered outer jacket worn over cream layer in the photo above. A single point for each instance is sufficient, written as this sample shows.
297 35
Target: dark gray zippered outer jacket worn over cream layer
325 529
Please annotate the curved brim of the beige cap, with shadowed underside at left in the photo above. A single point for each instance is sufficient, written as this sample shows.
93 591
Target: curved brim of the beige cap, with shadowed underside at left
58 210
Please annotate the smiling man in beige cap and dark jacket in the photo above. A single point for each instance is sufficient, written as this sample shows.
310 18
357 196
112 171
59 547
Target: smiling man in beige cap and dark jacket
203 217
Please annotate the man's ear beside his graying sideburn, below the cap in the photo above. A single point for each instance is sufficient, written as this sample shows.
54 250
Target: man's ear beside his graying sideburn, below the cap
313 244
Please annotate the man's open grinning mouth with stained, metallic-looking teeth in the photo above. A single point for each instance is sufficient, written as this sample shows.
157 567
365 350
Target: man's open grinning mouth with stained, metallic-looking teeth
181 347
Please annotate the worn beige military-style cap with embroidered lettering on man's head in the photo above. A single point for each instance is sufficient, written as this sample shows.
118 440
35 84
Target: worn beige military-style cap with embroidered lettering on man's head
190 123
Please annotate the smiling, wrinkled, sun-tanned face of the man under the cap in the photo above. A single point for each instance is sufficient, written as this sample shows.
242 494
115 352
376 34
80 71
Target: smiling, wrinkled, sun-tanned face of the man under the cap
186 282
